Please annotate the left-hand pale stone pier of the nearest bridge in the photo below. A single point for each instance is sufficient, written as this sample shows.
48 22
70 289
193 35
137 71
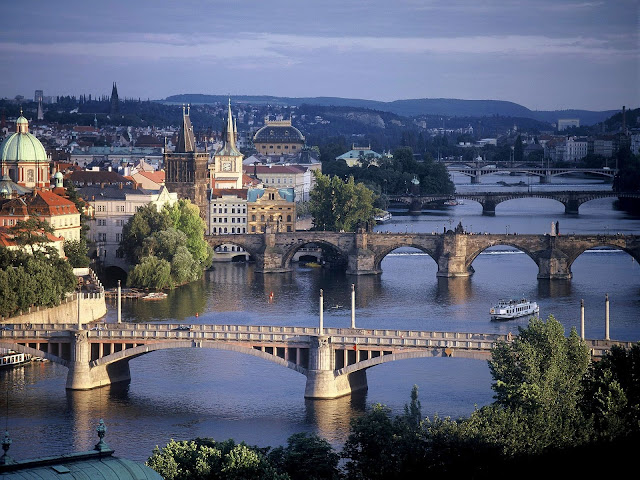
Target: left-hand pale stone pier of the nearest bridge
82 376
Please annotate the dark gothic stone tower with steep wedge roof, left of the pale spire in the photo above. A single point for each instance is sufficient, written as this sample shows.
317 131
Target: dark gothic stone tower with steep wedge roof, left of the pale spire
186 168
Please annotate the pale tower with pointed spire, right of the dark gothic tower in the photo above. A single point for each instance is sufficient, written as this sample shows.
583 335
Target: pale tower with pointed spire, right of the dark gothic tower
226 171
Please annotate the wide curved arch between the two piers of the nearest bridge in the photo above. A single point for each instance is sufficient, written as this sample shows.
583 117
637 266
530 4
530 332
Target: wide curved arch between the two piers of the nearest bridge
130 353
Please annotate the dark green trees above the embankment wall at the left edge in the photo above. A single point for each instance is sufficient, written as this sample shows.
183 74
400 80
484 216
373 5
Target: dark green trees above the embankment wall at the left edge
41 279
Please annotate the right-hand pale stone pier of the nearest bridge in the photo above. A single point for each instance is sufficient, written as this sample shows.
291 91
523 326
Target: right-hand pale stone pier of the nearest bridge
322 381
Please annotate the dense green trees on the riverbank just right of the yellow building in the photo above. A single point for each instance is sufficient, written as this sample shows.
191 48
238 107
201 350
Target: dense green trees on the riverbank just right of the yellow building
337 205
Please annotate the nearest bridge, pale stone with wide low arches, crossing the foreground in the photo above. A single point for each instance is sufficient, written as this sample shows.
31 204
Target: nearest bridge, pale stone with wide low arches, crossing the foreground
334 360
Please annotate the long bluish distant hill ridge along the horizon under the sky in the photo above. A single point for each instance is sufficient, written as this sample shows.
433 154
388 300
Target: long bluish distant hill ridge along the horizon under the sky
410 108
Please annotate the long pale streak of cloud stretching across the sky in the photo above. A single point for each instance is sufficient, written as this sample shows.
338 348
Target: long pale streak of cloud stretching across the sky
291 48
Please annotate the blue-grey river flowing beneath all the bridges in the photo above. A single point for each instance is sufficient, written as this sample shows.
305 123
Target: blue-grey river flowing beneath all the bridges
183 394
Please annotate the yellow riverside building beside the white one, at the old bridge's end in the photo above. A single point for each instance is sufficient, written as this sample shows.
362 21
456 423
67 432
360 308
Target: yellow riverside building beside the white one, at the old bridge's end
271 207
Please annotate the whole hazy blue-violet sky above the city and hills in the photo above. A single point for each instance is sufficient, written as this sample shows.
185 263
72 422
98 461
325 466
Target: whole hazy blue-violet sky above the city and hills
543 54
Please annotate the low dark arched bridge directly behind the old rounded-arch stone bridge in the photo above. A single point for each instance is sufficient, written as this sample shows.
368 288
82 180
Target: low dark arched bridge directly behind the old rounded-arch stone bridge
570 199
